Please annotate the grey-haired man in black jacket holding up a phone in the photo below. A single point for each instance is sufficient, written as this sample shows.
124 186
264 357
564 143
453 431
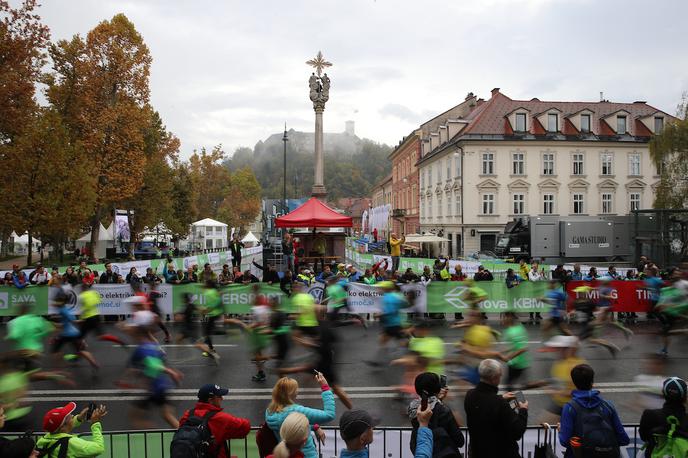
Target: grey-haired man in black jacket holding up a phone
495 427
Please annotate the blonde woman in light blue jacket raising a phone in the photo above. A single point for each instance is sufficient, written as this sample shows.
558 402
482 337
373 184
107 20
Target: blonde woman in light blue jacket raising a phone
283 404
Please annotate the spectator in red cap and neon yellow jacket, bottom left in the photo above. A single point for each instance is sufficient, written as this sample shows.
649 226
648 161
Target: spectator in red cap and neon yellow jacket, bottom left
59 424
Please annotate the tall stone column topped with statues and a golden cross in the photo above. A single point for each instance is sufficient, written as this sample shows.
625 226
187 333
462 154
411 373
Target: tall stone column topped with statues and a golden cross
319 94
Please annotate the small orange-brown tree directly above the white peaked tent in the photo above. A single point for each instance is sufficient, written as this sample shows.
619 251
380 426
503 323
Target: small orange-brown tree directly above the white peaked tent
211 180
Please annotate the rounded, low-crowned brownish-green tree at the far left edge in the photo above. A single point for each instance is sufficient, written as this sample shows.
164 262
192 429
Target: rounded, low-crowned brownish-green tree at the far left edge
53 195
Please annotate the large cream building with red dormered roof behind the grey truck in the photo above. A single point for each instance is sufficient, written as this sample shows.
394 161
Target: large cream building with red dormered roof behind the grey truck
509 159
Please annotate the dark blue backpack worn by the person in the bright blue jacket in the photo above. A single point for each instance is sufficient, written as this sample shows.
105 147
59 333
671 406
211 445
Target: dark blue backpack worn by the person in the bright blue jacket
594 427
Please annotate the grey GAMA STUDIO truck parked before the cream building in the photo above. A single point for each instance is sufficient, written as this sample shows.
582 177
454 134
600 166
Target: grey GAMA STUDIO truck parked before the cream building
564 239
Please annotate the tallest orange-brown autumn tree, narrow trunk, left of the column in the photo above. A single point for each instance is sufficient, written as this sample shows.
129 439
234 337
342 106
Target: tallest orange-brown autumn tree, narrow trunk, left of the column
101 85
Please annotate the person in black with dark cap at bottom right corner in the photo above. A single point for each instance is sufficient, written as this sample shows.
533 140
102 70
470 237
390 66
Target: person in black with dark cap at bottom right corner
654 421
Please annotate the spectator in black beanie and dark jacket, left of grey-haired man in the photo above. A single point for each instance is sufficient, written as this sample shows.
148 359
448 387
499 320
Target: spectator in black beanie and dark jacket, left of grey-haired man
447 436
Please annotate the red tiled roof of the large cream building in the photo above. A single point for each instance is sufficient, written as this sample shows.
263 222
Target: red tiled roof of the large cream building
488 118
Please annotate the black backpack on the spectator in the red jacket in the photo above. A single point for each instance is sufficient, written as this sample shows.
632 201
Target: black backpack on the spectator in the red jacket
193 439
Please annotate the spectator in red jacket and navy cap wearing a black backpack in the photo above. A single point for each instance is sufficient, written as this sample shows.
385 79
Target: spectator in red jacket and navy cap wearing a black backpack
223 425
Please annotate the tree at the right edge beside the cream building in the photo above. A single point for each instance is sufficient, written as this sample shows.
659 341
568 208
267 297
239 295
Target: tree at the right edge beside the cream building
669 151
